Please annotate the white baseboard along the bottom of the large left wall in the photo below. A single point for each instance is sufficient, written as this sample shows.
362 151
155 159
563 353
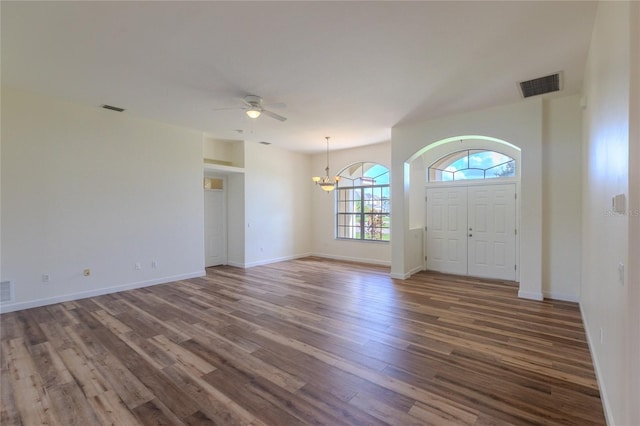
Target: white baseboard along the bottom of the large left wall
97 292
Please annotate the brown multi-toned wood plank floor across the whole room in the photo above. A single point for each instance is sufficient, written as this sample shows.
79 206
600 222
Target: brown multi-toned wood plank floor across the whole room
307 341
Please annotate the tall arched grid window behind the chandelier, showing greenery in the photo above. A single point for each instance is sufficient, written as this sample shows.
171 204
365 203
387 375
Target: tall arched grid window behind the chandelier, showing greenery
363 203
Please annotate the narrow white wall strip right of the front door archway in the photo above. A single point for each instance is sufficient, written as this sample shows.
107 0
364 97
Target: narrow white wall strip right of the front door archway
561 249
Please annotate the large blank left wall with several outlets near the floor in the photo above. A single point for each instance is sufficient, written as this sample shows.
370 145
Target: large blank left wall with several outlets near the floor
84 187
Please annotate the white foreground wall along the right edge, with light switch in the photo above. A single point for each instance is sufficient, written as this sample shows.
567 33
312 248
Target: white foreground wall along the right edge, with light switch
608 306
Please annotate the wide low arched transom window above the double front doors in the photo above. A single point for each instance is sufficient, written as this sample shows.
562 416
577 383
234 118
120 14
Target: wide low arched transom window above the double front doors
471 164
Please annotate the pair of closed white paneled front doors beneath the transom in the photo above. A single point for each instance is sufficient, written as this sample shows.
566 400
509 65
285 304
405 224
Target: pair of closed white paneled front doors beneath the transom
471 230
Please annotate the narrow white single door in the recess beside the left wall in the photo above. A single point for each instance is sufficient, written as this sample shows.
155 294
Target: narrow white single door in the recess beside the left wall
215 242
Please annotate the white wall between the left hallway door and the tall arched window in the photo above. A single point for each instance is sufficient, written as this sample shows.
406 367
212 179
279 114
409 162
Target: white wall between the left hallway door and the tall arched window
277 204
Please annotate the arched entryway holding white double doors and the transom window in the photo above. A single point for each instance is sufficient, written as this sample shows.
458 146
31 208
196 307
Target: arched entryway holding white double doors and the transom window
471 210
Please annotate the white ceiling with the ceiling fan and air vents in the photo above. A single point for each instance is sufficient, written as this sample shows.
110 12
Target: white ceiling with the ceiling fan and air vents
349 70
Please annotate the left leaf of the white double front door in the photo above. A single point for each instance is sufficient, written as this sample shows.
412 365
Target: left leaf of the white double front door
446 230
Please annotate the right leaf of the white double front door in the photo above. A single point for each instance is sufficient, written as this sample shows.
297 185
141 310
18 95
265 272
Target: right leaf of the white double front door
492 231
